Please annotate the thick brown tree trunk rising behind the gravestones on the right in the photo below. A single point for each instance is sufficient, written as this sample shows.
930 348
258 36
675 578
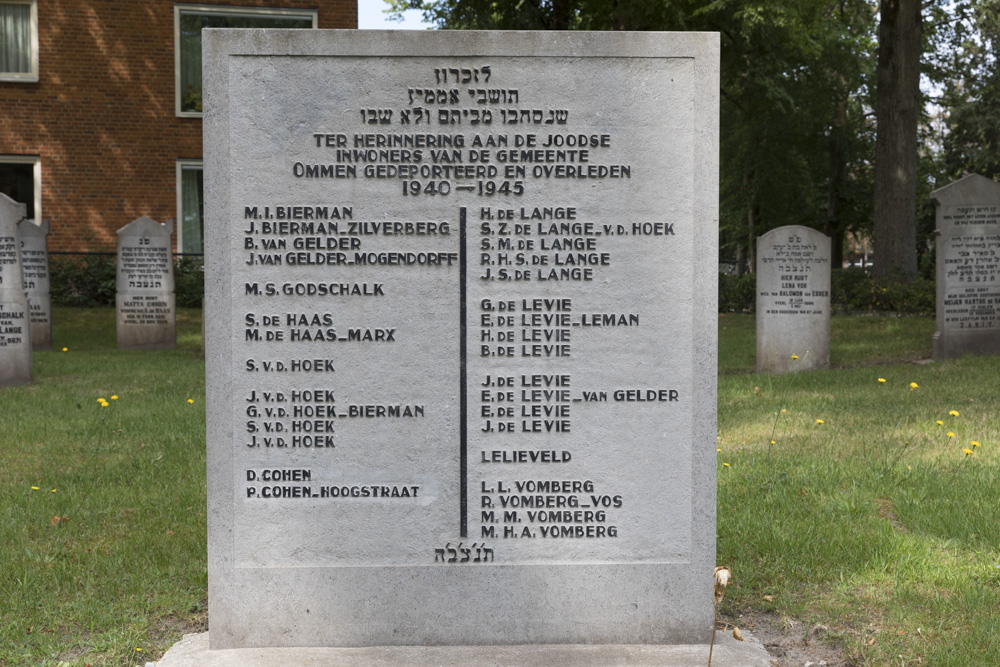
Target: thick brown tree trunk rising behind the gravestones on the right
897 111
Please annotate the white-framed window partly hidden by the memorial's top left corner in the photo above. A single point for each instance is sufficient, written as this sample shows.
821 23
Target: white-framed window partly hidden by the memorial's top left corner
188 22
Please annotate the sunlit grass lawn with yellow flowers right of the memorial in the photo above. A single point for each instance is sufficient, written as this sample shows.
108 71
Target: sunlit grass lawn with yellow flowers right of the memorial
874 522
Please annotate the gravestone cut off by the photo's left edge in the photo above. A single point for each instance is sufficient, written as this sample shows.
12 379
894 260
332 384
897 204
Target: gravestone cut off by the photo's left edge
15 318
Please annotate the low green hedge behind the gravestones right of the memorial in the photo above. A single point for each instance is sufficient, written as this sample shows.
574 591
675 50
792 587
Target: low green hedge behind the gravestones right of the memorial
853 290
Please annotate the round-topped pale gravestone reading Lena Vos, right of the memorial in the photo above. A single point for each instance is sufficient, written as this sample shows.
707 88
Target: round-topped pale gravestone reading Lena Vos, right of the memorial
793 300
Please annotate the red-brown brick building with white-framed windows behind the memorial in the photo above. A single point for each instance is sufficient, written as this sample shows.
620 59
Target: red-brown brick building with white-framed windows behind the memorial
100 107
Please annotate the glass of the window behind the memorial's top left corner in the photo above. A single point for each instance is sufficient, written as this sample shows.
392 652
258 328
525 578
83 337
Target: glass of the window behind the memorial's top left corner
190 45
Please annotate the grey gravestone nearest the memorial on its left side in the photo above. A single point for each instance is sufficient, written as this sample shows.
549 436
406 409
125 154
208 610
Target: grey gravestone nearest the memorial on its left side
147 313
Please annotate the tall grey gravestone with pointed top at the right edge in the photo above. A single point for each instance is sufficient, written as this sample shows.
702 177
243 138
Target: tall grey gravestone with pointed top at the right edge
968 267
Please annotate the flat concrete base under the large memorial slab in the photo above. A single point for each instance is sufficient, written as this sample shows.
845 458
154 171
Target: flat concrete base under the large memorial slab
192 651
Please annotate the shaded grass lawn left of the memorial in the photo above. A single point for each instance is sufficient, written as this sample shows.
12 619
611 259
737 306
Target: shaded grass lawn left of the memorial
122 570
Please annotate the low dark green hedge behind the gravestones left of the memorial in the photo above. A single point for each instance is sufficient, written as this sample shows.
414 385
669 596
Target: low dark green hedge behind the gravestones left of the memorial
89 280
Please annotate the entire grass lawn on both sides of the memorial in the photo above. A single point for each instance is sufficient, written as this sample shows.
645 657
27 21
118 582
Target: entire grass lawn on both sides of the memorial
873 522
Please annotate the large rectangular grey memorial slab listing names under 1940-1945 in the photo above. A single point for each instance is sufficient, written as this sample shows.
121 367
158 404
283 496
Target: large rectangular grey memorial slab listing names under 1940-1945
460 340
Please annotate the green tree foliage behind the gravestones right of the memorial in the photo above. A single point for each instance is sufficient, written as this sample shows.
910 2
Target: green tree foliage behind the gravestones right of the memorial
798 99
